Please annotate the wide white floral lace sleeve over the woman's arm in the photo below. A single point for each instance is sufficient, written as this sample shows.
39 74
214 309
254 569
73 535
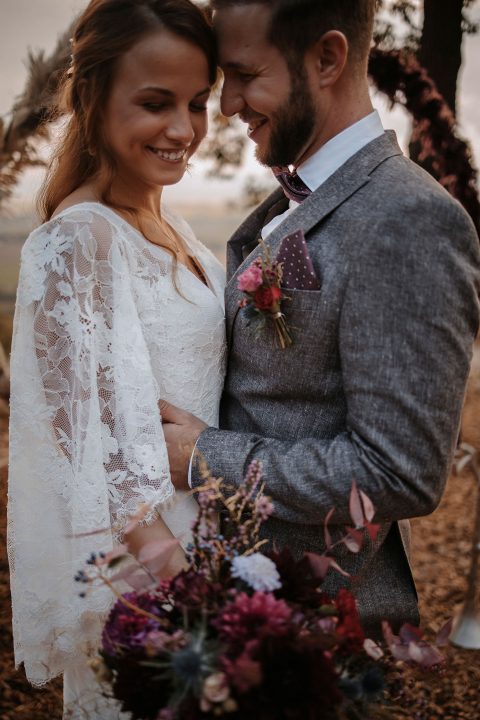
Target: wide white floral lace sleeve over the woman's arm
86 439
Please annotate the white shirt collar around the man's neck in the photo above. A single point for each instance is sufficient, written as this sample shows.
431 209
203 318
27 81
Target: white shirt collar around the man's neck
331 156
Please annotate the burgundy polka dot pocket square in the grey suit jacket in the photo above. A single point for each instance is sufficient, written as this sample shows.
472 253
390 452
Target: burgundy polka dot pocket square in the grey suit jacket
298 272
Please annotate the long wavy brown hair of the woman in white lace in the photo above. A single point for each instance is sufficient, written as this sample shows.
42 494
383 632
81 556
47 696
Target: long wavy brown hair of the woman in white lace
104 32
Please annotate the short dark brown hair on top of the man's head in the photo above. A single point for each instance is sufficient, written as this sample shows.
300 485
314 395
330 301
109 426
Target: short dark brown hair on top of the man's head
297 24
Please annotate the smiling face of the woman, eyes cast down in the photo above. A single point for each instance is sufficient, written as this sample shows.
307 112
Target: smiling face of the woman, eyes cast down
156 114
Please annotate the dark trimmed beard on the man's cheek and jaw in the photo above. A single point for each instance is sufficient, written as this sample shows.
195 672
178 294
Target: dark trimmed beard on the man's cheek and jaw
292 126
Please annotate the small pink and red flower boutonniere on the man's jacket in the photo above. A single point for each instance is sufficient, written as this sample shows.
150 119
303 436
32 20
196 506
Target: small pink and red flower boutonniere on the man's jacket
261 284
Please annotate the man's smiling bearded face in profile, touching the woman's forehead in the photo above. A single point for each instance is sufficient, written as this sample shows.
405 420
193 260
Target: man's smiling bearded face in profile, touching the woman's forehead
276 104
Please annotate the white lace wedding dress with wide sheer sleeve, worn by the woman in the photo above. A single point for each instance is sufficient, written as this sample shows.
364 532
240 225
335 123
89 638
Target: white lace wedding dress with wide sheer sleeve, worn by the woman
100 335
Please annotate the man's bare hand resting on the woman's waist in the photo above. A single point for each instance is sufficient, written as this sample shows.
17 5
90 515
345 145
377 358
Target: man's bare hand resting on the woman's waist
181 430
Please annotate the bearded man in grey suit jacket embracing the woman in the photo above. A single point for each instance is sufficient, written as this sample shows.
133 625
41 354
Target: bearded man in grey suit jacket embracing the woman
372 388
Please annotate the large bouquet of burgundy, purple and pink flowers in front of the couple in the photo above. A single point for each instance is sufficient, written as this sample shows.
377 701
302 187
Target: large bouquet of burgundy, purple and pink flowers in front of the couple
243 634
